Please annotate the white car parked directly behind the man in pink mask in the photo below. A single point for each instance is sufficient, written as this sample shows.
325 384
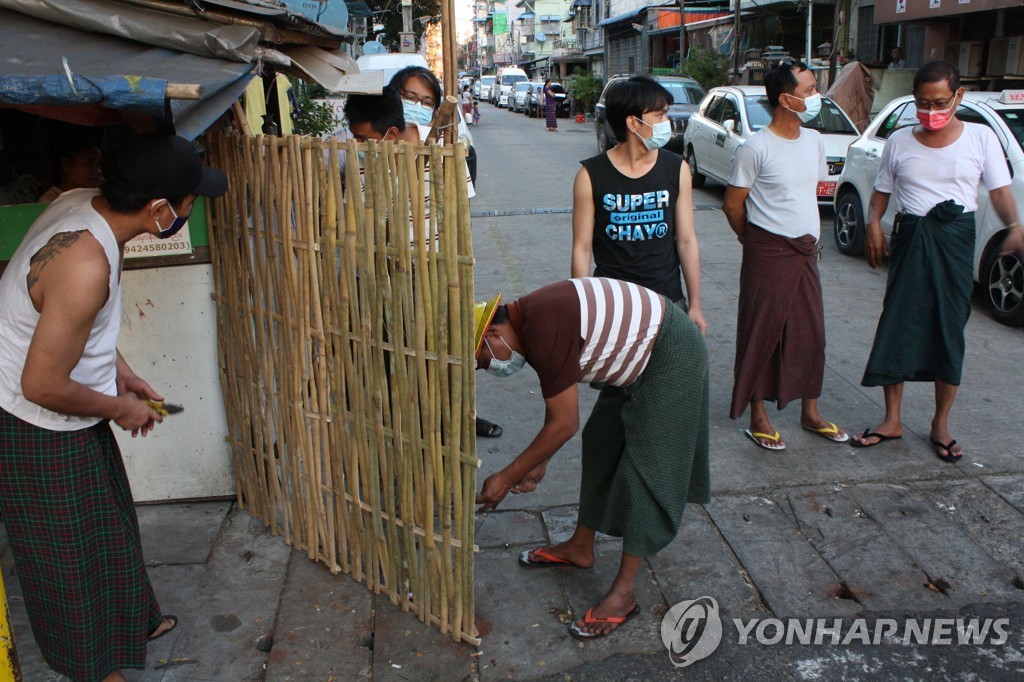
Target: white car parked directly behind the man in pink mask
1001 277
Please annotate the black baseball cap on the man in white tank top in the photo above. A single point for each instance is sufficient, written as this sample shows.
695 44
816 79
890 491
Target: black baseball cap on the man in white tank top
161 165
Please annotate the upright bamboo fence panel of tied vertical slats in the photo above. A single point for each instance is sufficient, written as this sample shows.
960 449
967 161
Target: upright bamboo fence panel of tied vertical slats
345 332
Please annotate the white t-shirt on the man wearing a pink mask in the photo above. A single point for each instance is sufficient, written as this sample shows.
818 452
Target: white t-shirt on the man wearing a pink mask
922 177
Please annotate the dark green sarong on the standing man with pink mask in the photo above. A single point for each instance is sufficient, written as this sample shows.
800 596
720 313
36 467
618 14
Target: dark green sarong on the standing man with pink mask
928 300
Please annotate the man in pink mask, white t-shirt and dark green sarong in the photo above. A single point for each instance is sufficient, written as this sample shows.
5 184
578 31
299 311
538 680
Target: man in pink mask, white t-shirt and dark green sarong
934 170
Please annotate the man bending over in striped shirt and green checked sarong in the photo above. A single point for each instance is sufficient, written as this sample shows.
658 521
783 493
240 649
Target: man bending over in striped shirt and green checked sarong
646 445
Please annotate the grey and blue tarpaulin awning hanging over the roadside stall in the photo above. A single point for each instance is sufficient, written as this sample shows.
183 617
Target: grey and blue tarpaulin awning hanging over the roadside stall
108 78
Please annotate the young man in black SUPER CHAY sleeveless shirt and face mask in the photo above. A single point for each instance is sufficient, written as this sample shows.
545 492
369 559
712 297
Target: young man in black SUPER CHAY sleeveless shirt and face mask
633 206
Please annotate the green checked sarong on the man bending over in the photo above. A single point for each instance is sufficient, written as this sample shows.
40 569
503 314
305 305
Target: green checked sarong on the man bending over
646 447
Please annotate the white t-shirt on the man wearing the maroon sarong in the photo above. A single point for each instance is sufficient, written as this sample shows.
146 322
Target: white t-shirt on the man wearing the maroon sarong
783 177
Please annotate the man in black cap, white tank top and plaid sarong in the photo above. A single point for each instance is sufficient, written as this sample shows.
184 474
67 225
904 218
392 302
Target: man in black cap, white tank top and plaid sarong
67 505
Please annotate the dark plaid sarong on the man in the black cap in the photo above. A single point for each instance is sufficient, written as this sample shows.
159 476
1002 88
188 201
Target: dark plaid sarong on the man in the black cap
73 531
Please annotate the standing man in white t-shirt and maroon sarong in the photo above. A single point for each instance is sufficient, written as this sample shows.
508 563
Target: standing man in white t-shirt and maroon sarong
772 204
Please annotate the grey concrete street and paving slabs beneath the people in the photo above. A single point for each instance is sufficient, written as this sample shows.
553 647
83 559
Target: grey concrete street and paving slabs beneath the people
821 531
